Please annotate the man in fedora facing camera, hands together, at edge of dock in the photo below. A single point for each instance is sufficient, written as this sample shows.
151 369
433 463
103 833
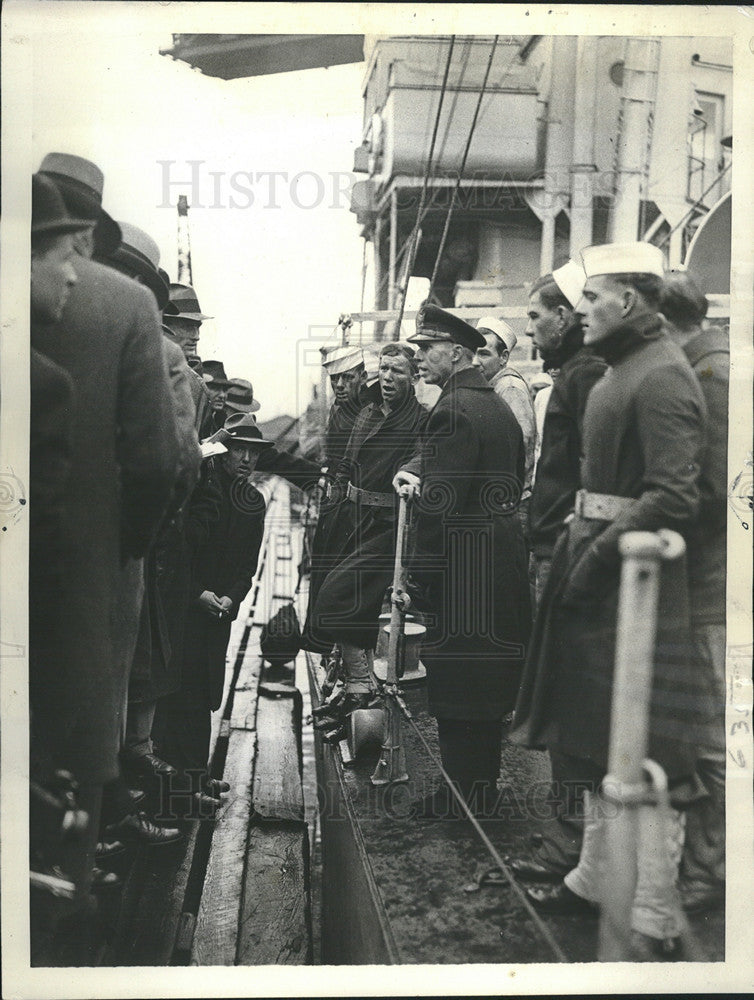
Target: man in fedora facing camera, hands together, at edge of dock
224 567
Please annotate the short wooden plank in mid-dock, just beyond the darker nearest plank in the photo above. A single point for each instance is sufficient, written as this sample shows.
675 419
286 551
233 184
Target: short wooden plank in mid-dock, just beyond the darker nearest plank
278 792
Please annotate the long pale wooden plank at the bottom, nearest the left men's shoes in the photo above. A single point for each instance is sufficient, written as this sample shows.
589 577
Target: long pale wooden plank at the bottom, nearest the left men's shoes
217 920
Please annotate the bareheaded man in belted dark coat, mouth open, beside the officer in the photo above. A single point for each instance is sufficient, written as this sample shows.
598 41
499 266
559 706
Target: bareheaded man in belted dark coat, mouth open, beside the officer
348 605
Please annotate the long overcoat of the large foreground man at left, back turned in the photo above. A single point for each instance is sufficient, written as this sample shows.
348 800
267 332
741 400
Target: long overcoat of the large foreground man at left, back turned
123 462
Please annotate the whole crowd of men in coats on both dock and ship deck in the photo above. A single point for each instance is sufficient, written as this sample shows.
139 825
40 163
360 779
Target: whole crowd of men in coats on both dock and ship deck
146 529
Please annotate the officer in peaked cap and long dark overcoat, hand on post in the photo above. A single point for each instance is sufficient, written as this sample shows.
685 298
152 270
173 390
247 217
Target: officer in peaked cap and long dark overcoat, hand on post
470 562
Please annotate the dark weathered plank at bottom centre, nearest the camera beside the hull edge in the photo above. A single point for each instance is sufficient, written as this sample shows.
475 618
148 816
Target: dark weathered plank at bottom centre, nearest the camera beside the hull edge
275 925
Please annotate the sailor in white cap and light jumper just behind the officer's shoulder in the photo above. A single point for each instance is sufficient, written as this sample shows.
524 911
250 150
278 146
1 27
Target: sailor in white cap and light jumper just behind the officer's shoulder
513 389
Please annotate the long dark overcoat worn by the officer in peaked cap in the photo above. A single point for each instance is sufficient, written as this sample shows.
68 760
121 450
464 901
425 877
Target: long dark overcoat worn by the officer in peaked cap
470 559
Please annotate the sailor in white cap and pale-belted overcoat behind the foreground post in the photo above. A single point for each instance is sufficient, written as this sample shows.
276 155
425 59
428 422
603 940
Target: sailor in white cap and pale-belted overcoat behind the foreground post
643 435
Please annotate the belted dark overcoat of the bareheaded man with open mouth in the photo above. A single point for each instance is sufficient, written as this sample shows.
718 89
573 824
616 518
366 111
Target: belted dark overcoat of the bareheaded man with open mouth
362 542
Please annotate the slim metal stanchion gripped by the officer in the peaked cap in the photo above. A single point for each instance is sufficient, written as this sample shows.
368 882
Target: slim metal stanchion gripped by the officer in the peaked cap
391 766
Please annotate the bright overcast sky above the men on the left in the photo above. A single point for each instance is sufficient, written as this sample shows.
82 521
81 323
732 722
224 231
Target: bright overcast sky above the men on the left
275 260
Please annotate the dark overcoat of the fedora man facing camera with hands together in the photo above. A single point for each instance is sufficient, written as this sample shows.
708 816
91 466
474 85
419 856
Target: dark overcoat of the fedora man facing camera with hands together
225 564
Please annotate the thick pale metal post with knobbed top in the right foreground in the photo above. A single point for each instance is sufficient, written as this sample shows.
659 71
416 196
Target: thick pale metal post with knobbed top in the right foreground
625 784
